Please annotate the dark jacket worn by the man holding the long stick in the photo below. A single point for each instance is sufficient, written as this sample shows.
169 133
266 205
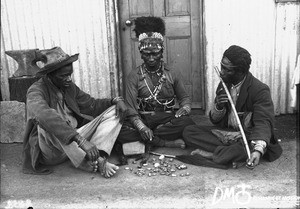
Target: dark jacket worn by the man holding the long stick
255 97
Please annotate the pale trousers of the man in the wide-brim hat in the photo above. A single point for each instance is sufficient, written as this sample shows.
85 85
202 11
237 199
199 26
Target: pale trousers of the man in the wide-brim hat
102 132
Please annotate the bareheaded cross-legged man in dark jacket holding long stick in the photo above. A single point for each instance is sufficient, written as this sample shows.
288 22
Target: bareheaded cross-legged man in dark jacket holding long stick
223 143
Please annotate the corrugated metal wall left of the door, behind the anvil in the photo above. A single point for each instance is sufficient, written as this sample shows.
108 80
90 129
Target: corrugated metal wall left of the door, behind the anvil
77 26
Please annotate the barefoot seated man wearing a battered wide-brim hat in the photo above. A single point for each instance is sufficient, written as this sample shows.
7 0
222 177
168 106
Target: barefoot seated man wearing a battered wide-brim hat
63 122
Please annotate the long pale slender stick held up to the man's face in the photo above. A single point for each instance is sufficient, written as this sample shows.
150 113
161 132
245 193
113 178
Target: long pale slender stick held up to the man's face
235 113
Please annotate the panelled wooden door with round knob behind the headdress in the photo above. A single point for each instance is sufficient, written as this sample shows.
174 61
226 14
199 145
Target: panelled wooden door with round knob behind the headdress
183 40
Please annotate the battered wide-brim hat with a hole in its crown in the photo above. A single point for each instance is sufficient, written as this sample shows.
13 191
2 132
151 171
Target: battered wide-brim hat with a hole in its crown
53 59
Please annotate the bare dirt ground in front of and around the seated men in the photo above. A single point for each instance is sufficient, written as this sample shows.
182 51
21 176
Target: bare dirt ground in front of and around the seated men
269 185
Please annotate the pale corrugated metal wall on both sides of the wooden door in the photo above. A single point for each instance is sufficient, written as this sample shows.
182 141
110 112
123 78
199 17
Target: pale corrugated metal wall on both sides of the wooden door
268 30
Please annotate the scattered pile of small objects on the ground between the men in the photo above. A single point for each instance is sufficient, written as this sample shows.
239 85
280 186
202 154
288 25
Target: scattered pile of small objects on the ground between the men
160 166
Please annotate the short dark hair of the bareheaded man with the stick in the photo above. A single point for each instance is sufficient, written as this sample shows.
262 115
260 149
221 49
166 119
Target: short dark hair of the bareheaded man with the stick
239 57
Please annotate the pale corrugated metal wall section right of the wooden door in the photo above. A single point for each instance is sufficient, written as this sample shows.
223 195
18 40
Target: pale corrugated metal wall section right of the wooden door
269 31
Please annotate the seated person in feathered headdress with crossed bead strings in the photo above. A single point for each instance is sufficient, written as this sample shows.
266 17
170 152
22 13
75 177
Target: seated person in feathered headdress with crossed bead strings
151 90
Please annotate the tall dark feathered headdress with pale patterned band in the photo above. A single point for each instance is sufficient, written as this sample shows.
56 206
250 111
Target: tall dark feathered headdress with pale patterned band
150 32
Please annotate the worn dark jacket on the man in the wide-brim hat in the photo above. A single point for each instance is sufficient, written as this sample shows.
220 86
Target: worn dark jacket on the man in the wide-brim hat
42 103
